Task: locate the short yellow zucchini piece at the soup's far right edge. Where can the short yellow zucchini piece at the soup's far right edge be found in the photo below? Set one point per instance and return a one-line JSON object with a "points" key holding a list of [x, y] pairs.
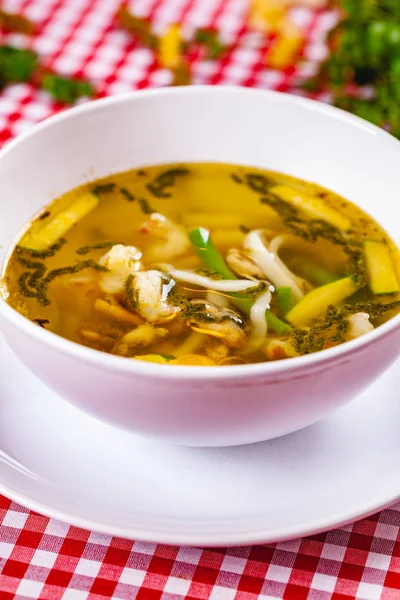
{"points": [[381, 273]]}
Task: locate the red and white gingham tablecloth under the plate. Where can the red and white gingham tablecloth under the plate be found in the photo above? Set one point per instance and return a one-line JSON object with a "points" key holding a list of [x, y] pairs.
{"points": [[44, 559]]}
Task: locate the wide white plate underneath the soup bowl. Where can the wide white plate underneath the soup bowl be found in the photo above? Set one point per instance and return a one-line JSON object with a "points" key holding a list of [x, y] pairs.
{"points": [[63, 463]]}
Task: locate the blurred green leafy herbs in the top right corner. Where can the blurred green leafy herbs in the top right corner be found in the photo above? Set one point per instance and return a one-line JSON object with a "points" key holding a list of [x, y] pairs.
{"points": [[363, 70]]}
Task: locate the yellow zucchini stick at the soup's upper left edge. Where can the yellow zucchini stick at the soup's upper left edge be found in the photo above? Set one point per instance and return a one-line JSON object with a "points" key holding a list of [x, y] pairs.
{"points": [[52, 231]]}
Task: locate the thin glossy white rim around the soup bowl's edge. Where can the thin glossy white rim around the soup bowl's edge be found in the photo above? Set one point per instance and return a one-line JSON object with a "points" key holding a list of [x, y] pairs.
{"points": [[318, 360]]}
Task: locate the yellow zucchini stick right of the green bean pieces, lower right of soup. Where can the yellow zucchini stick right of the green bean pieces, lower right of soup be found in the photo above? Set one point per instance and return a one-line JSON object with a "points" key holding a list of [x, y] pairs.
{"points": [[312, 305]]}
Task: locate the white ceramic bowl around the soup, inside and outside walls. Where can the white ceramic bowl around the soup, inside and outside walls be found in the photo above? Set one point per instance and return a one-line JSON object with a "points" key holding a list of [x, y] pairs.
{"points": [[188, 405]]}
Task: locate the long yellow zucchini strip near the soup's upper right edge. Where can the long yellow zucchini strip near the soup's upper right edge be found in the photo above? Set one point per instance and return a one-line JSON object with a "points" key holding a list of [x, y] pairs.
{"points": [[312, 206]]}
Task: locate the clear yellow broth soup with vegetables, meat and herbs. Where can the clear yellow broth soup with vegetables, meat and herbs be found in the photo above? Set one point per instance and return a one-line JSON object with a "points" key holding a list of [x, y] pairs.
{"points": [[204, 264]]}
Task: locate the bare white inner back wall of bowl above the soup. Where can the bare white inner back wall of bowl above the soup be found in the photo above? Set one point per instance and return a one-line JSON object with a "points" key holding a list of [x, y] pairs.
{"points": [[230, 125]]}
